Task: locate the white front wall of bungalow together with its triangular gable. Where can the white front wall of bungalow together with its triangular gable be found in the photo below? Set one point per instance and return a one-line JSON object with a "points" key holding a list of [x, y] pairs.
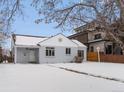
{"points": [[60, 47]]}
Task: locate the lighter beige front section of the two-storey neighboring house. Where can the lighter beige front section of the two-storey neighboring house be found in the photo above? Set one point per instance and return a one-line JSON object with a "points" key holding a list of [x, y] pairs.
{"points": [[98, 39]]}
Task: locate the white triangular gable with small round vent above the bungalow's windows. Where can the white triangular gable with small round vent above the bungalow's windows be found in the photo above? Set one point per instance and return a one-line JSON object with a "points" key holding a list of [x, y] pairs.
{"points": [[60, 40]]}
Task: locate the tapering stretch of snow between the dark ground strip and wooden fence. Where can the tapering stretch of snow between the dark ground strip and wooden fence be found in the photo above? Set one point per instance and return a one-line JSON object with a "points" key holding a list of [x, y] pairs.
{"points": [[105, 70]]}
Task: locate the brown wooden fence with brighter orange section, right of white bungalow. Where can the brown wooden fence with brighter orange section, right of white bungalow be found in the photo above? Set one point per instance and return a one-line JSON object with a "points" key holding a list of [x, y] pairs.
{"points": [[92, 56]]}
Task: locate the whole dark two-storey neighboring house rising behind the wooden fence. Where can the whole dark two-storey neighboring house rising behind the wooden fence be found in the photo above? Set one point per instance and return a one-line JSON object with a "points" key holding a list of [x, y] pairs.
{"points": [[94, 37]]}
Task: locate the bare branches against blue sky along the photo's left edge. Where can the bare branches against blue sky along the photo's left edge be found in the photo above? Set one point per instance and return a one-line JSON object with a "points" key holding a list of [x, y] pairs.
{"points": [[8, 10]]}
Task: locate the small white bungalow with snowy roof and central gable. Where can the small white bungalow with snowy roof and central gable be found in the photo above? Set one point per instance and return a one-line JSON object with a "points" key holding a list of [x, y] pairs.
{"points": [[55, 49]]}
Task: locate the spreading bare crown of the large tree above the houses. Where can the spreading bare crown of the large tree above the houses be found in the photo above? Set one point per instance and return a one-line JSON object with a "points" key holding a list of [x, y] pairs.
{"points": [[76, 13]]}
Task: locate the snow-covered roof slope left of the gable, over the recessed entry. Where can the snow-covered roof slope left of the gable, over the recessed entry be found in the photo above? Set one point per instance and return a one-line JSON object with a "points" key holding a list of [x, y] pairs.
{"points": [[28, 40]]}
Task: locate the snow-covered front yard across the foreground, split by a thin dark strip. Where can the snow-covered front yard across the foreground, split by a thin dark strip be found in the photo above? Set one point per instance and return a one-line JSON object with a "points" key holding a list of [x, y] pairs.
{"points": [[49, 77]]}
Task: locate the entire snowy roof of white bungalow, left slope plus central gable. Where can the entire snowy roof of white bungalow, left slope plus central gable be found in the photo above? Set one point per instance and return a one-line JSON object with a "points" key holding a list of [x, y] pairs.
{"points": [[57, 40]]}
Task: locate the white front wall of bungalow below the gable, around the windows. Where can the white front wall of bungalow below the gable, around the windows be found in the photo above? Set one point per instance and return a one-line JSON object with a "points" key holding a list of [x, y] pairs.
{"points": [[60, 55]]}
